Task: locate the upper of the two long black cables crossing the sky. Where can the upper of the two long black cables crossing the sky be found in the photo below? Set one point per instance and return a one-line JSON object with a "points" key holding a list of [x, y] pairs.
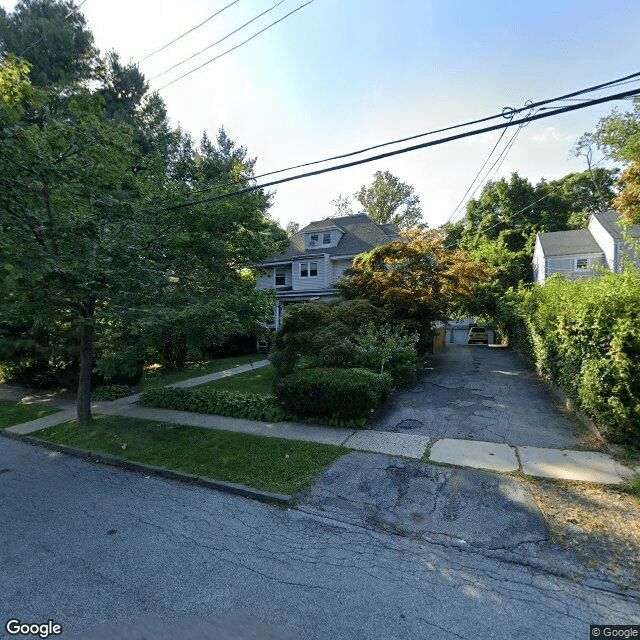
{"points": [[506, 112]]}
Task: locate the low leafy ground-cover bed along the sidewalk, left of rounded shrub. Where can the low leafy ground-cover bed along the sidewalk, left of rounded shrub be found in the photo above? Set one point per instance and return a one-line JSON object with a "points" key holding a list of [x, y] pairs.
{"points": [[220, 402]]}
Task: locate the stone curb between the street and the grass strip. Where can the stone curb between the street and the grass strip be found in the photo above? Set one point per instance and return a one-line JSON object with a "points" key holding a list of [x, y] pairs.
{"points": [[170, 474]]}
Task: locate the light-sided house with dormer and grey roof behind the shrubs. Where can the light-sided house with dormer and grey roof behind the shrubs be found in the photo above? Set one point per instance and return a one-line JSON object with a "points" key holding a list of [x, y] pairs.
{"points": [[316, 258]]}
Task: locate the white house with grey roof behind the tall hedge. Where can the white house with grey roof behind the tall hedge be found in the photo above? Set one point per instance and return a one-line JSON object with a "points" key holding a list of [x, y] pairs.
{"points": [[574, 254]]}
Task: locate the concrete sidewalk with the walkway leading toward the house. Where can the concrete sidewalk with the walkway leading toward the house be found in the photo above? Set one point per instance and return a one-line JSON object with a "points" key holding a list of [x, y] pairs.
{"points": [[561, 463]]}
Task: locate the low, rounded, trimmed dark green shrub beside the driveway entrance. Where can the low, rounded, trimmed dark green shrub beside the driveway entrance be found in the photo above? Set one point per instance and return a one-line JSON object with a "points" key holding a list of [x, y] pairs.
{"points": [[339, 394]]}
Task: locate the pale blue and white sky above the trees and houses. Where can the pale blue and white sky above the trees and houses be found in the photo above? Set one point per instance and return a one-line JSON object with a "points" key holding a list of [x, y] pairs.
{"points": [[341, 75]]}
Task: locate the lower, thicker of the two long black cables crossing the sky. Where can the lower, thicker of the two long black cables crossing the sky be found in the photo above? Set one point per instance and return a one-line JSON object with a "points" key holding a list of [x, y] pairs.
{"points": [[431, 143]]}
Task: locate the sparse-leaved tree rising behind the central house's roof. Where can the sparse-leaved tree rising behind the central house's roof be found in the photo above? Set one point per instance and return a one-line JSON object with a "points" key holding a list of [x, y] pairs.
{"points": [[388, 200]]}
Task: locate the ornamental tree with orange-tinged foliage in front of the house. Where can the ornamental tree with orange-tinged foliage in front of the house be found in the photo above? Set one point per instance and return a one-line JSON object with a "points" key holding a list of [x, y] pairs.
{"points": [[415, 281]]}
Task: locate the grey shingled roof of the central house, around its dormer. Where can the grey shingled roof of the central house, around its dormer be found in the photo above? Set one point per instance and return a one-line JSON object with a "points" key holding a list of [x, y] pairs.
{"points": [[359, 234]]}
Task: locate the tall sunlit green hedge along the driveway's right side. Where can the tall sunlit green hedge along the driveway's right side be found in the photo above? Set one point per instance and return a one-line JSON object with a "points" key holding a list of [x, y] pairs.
{"points": [[585, 334]]}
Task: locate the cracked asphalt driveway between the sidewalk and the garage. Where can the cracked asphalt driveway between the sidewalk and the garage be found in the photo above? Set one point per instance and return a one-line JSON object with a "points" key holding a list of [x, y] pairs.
{"points": [[480, 393]]}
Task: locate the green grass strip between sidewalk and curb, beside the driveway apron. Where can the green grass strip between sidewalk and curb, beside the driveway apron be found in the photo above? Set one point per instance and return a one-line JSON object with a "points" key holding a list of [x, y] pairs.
{"points": [[270, 464]]}
